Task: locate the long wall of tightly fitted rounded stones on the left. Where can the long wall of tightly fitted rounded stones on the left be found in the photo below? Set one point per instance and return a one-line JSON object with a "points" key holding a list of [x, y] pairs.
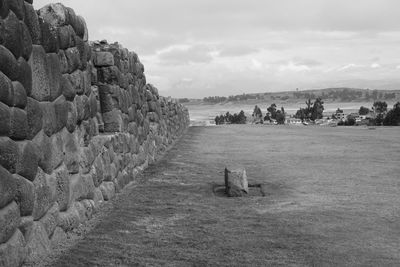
{"points": [[77, 123]]}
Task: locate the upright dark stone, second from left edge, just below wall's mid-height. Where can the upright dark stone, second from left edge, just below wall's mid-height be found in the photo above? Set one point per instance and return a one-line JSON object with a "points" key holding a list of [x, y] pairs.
{"points": [[28, 160]]}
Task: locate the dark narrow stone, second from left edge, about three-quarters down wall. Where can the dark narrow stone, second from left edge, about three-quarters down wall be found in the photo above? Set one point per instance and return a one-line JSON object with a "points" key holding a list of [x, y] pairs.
{"points": [[25, 195]]}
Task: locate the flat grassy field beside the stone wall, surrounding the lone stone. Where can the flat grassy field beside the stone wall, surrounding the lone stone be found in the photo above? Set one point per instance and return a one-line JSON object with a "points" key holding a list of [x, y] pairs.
{"points": [[332, 199]]}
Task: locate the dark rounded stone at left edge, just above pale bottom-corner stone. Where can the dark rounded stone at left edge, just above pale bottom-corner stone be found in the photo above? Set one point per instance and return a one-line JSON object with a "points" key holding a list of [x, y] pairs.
{"points": [[9, 221]]}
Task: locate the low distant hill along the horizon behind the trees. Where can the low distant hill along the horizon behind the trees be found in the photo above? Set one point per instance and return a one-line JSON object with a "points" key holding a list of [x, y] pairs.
{"points": [[341, 94]]}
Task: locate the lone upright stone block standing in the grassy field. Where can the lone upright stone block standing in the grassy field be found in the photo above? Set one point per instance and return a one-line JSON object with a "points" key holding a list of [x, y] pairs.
{"points": [[236, 182]]}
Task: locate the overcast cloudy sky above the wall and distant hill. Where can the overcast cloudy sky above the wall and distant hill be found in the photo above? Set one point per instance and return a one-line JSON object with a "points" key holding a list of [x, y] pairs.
{"points": [[198, 48]]}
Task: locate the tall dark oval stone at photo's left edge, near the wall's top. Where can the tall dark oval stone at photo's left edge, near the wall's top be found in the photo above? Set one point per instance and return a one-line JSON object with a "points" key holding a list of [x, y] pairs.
{"points": [[13, 35]]}
